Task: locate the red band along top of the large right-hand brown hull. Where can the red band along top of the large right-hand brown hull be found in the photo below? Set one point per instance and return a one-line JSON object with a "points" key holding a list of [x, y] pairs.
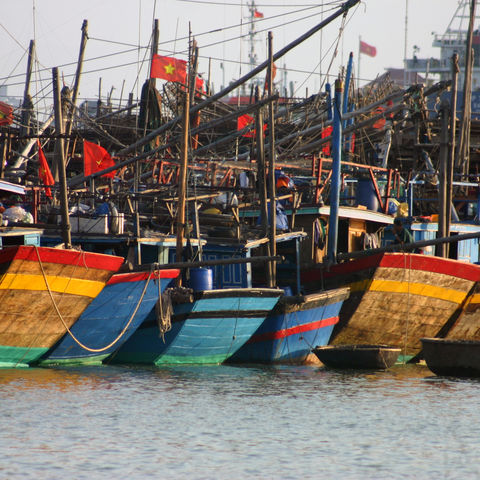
{"points": [[426, 263]]}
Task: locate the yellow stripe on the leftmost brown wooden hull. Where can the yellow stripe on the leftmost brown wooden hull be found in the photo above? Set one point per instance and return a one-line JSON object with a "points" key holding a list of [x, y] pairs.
{"points": [[73, 286]]}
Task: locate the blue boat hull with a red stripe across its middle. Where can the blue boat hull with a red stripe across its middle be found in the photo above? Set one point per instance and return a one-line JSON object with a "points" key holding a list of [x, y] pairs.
{"points": [[293, 328]]}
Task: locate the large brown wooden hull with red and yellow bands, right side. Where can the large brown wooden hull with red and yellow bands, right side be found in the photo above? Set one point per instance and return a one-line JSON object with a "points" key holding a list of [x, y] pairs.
{"points": [[397, 298]]}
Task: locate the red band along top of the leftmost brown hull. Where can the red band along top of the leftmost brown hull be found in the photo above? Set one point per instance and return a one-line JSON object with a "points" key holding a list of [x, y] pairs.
{"points": [[64, 257]]}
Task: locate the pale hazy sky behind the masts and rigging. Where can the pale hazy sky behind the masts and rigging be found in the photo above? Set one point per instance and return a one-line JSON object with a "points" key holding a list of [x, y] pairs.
{"points": [[56, 27]]}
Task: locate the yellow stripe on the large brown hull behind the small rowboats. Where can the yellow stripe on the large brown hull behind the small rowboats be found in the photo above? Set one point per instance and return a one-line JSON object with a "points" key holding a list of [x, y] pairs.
{"points": [[413, 288]]}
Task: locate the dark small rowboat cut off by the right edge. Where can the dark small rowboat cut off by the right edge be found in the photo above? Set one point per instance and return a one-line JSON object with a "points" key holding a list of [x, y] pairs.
{"points": [[459, 358]]}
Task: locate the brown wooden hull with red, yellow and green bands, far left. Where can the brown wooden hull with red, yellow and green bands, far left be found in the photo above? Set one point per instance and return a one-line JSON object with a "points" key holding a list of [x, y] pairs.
{"points": [[33, 281]]}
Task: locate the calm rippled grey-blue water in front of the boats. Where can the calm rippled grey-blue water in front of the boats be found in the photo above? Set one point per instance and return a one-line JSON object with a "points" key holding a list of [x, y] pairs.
{"points": [[237, 423]]}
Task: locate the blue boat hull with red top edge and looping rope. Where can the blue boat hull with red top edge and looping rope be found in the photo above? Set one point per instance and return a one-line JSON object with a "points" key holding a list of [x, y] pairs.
{"points": [[127, 297]]}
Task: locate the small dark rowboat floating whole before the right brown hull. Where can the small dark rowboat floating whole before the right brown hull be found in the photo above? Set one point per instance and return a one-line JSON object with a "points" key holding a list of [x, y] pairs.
{"points": [[358, 356]]}
